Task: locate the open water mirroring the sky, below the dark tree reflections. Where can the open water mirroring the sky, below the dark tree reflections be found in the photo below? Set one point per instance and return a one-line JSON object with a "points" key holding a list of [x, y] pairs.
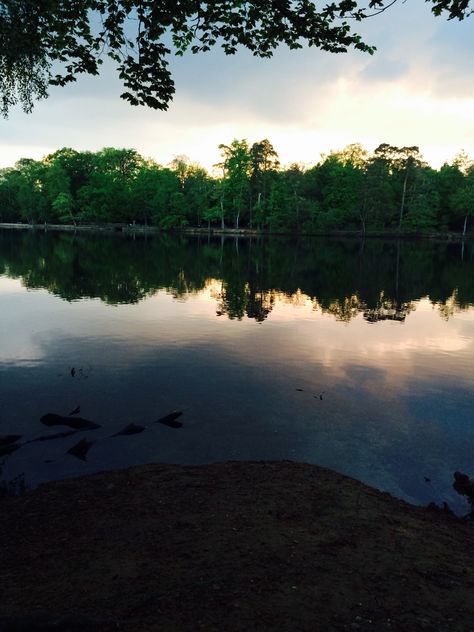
{"points": [[397, 397]]}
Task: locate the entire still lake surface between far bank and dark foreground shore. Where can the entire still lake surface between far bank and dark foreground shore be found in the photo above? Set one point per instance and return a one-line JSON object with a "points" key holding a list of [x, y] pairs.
{"points": [[353, 355]]}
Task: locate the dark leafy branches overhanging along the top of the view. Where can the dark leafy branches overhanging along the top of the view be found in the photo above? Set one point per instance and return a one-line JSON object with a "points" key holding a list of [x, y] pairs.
{"points": [[51, 42]]}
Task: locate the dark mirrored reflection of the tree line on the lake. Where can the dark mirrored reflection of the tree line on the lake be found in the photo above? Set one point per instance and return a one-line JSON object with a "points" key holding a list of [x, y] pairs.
{"points": [[381, 280]]}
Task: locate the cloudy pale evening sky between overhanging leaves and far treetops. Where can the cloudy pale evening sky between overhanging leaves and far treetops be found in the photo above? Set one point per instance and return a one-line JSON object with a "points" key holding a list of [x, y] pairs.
{"points": [[417, 89]]}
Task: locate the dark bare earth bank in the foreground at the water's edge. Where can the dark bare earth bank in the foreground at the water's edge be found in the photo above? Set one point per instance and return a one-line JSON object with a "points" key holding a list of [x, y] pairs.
{"points": [[235, 546]]}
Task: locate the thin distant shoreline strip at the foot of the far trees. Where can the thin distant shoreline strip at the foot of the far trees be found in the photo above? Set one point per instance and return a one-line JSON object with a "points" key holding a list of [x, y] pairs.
{"points": [[232, 232]]}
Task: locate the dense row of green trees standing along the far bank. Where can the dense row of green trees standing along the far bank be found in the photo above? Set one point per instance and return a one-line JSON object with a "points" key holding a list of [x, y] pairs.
{"points": [[391, 190]]}
